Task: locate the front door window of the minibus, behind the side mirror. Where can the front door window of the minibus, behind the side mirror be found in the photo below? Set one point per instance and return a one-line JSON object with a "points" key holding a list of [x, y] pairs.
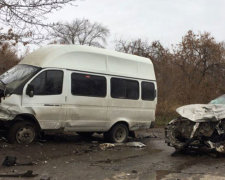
{"points": [[48, 83]]}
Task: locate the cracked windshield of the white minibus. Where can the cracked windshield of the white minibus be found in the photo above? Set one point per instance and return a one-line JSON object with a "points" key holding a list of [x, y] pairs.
{"points": [[15, 76]]}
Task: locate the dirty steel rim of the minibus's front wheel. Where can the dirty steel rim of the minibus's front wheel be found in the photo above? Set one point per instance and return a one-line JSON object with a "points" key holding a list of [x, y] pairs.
{"points": [[25, 135]]}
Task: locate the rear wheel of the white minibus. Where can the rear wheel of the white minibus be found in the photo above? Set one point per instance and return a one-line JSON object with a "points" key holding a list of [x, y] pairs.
{"points": [[118, 133]]}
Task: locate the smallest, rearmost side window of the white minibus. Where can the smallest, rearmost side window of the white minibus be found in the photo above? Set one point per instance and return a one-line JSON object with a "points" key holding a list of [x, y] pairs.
{"points": [[148, 91]]}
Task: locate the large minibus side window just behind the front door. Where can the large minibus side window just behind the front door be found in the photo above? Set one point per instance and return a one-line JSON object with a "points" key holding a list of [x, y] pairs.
{"points": [[88, 85]]}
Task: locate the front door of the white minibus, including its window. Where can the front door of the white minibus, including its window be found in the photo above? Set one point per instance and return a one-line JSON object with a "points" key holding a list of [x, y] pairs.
{"points": [[48, 100]]}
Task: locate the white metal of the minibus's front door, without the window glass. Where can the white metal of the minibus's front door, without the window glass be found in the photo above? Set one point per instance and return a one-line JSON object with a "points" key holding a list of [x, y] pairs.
{"points": [[50, 111]]}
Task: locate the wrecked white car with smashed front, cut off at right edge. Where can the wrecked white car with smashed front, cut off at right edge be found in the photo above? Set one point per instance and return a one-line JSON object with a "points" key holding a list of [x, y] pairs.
{"points": [[199, 126]]}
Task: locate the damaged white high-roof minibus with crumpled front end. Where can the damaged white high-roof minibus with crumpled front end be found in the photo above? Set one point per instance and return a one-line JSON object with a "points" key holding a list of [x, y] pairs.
{"points": [[80, 89]]}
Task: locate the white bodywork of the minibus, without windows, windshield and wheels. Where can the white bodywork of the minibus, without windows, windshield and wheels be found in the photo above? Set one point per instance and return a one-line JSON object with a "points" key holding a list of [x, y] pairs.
{"points": [[81, 113]]}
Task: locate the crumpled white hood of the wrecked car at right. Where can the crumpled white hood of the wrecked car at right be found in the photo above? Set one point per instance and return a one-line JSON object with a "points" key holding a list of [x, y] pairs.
{"points": [[202, 112]]}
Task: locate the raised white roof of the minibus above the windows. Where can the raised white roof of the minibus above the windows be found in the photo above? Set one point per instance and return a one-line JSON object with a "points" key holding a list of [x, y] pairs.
{"points": [[91, 59]]}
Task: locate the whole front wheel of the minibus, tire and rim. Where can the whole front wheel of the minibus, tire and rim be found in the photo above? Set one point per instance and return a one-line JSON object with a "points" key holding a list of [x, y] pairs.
{"points": [[22, 132]]}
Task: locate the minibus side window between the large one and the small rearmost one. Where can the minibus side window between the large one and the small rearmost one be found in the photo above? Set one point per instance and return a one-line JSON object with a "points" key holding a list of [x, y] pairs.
{"points": [[124, 89]]}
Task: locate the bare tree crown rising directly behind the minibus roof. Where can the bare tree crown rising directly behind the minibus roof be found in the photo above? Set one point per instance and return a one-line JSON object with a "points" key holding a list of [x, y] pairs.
{"points": [[80, 31]]}
